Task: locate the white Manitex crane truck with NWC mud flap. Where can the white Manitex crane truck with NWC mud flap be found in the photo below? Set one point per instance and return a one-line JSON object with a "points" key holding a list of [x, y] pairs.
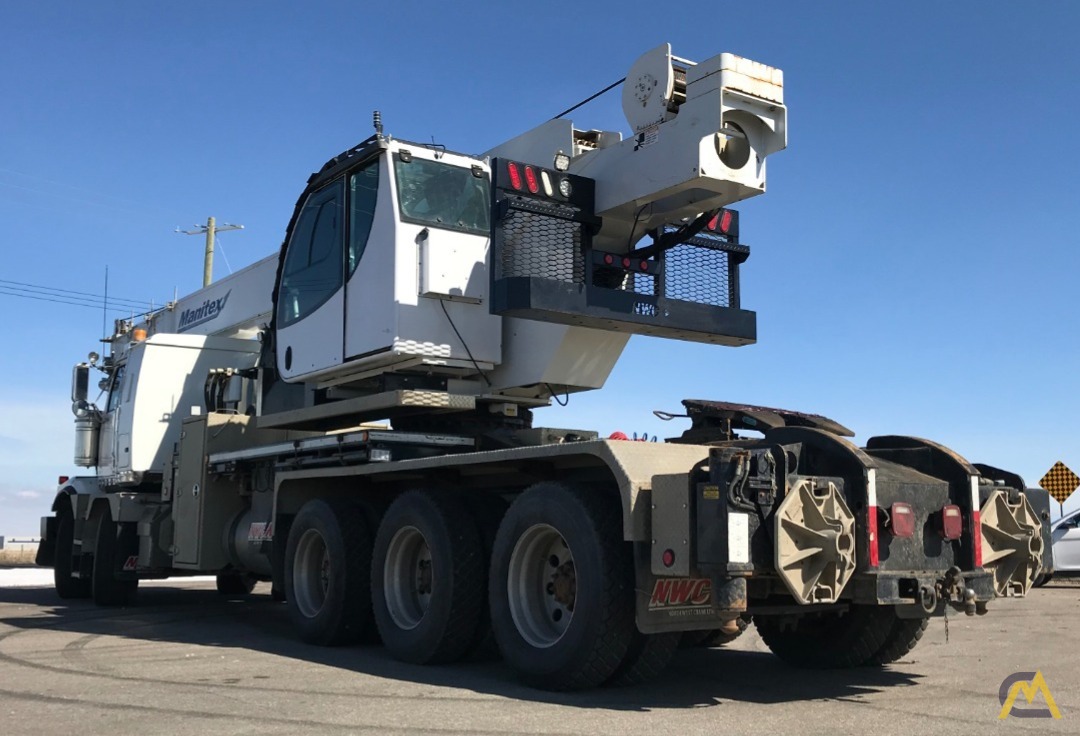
{"points": [[352, 420]]}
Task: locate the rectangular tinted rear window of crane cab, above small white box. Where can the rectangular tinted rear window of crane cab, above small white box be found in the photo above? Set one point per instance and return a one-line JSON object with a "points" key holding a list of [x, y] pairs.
{"points": [[437, 194]]}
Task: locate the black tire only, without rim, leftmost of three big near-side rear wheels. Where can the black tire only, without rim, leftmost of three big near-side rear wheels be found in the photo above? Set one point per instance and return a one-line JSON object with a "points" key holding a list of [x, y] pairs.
{"points": [[346, 611]]}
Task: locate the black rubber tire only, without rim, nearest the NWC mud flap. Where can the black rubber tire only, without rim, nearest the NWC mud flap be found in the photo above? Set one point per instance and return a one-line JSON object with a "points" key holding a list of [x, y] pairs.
{"points": [[600, 634]]}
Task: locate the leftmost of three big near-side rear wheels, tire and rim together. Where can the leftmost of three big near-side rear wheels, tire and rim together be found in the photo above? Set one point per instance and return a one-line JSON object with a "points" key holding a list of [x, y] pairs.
{"points": [[328, 564]]}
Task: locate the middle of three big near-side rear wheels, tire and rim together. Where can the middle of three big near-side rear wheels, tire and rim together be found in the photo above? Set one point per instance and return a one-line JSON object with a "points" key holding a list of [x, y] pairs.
{"points": [[428, 579]]}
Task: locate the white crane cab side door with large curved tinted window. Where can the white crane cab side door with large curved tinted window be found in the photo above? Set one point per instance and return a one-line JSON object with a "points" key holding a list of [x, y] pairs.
{"points": [[310, 295]]}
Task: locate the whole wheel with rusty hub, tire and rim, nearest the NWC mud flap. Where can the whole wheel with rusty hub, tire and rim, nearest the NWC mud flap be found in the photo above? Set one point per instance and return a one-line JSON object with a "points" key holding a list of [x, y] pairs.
{"points": [[562, 587]]}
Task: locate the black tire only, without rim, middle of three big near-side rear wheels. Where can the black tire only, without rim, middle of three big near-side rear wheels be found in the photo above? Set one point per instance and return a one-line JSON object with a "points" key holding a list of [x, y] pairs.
{"points": [[448, 630]]}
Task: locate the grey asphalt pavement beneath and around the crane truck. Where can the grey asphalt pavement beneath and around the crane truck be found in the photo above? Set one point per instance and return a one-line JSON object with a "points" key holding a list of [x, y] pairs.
{"points": [[188, 661]]}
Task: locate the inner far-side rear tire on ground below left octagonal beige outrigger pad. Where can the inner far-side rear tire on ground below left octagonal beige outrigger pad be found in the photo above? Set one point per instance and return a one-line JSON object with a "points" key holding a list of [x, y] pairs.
{"points": [[829, 643]]}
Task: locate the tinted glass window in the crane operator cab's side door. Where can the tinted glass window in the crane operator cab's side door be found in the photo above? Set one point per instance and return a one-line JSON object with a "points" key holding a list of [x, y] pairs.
{"points": [[315, 260]]}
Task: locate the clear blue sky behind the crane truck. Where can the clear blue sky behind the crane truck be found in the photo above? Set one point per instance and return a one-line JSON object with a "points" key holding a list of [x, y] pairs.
{"points": [[914, 264]]}
